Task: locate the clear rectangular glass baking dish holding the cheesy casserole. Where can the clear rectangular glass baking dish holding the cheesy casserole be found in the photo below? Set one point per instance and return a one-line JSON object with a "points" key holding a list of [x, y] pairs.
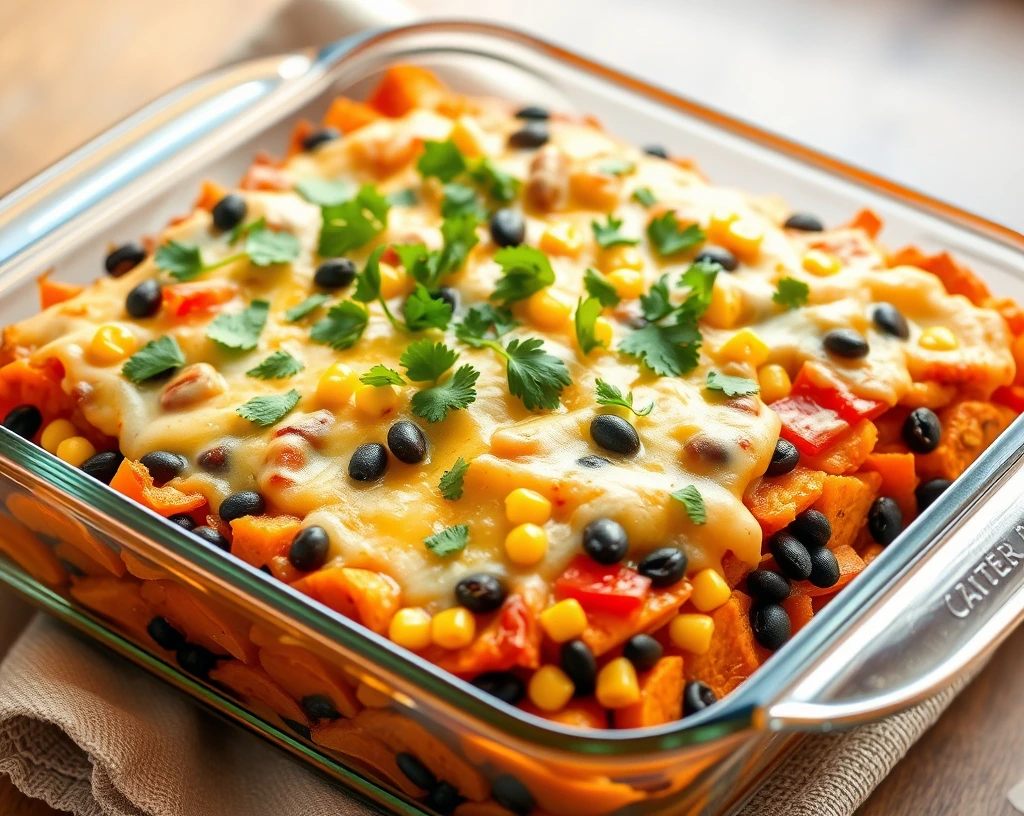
{"points": [[934, 605]]}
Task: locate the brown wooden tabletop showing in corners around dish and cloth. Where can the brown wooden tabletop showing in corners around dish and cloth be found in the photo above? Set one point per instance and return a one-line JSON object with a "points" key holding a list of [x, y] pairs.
{"points": [[69, 70]]}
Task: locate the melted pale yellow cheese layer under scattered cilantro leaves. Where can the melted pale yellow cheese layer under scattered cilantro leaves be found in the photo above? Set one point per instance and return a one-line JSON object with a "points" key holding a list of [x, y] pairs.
{"points": [[694, 437]]}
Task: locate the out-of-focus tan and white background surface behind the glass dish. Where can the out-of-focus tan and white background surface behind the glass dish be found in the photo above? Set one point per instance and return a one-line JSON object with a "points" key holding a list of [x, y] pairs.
{"points": [[928, 93]]}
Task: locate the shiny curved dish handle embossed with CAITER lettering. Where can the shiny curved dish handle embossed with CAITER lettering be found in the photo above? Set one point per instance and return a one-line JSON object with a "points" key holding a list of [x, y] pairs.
{"points": [[936, 624]]}
